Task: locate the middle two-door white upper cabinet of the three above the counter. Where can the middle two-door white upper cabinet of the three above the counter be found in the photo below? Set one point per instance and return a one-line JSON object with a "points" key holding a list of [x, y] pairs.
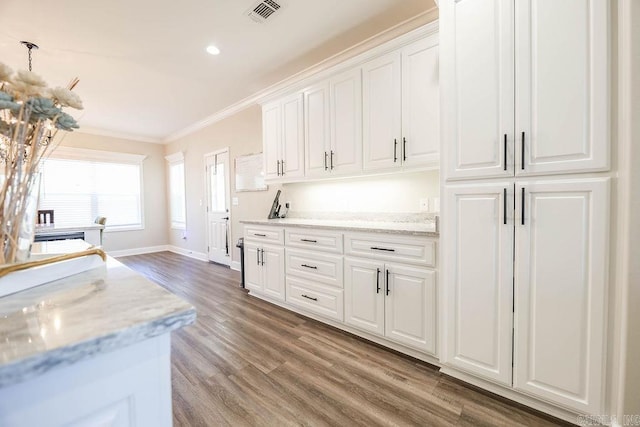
{"points": [[333, 126]]}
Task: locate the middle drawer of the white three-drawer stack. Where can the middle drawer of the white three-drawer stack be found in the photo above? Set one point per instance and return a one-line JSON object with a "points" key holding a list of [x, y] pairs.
{"points": [[315, 266]]}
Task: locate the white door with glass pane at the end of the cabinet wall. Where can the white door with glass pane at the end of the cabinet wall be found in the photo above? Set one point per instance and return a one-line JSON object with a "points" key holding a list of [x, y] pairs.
{"points": [[218, 214]]}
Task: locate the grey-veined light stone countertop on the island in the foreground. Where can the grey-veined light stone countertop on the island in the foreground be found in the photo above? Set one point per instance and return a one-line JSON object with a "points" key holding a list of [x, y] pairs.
{"points": [[75, 318]]}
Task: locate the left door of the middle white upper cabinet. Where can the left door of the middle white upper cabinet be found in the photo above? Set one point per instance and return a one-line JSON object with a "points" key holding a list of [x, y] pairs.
{"points": [[316, 126]]}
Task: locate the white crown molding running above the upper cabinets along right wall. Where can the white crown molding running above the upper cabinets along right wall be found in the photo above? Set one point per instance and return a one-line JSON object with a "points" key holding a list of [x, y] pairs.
{"points": [[387, 40]]}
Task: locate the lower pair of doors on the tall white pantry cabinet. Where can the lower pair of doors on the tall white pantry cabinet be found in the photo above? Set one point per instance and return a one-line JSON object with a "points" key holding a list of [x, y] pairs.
{"points": [[549, 294]]}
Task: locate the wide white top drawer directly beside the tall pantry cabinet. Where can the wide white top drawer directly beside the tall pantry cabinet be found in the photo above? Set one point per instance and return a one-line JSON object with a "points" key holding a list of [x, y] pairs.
{"points": [[397, 248]]}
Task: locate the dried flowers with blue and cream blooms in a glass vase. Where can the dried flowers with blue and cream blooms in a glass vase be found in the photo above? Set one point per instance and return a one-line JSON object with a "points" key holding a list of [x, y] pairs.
{"points": [[30, 117]]}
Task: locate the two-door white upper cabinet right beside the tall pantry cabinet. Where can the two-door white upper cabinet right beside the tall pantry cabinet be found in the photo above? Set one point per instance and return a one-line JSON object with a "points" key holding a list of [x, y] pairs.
{"points": [[401, 108]]}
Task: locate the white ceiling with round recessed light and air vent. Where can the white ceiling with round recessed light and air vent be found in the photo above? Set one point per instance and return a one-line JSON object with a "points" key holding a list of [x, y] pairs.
{"points": [[143, 69]]}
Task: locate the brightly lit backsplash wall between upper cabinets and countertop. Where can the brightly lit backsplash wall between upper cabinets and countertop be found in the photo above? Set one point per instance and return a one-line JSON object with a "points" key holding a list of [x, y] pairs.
{"points": [[394, 193]]}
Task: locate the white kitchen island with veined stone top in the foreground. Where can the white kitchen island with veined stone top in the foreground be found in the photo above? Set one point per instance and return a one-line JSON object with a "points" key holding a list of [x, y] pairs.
{"points": [[89, 349]]}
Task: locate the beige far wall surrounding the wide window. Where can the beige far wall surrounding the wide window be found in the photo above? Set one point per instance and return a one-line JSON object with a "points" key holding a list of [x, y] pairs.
{"points": [[155, 204]]}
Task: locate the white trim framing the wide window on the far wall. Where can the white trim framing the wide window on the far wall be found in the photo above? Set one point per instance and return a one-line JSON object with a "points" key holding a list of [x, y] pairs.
{"points": [[86, 154]]}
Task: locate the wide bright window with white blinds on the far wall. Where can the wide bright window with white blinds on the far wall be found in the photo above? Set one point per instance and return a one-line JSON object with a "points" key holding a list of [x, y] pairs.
{"points": [[80, 185]]}
